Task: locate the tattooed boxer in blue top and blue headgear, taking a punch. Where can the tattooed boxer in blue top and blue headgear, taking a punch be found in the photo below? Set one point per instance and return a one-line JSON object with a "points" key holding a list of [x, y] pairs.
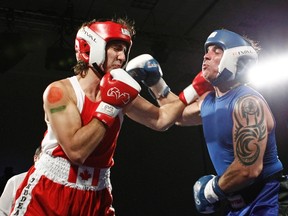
{"points": [[239, 130]]}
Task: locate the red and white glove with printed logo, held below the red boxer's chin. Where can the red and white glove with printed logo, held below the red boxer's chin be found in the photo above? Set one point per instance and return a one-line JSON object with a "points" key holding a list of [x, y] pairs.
{"points": [[117, 90]]}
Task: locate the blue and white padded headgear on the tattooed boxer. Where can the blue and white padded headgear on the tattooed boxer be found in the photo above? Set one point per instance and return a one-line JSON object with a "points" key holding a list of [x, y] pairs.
{"points": [[237, 57]]}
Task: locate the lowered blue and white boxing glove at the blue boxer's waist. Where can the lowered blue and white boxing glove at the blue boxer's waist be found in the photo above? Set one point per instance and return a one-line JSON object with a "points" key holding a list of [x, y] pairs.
{"points": [[208, 194]]}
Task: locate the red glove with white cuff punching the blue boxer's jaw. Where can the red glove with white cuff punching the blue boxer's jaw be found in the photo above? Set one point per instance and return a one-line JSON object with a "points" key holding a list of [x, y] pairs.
{"points": [[198, 87]]}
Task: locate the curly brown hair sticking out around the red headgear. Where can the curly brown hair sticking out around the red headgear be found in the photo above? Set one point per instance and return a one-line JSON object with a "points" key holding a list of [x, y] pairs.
{"points": [[82, 67]]}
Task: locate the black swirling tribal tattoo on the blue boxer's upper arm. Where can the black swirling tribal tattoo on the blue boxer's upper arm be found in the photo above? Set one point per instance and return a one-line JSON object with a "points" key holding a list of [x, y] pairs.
{"points": [[250, 129]]}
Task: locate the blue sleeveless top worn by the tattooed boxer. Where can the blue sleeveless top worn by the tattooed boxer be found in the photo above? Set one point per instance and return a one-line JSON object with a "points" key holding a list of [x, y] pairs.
{"points": [[217, 120]]}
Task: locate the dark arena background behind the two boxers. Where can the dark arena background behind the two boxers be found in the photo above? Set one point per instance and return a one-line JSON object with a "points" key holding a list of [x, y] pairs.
{"points": [[154, 172]]}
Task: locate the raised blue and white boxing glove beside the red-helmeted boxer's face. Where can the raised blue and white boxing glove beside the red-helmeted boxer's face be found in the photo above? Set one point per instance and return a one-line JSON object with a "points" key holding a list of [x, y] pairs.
{"points": [[146, 69]]}
